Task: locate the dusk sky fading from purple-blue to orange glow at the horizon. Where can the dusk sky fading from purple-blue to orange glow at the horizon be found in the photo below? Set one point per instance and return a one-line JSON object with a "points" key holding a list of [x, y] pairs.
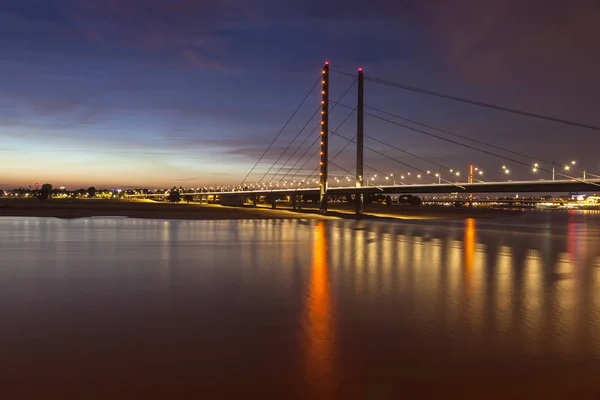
{"points": [[156, 93]]}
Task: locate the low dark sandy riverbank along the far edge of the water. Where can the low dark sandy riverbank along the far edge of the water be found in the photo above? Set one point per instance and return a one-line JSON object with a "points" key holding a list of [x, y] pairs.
{"points": [[85, 208]]}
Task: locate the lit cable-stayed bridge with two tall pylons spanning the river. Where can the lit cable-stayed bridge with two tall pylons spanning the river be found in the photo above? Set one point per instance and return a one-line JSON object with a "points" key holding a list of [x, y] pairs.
{"points": [[288, 175]]}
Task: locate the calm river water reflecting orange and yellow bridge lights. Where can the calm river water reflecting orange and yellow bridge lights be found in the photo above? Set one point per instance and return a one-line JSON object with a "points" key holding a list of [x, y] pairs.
{"points": [[123, 308]]}
